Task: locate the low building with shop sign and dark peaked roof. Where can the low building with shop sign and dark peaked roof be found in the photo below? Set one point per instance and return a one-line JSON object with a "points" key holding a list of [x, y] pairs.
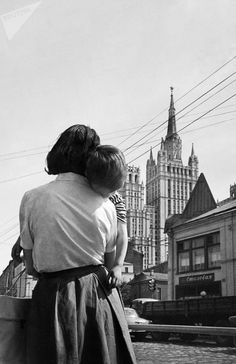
{"points": [[202, 247]]}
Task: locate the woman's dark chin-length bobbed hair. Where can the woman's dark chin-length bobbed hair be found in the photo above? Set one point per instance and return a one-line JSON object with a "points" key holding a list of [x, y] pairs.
{"points": [[70, 152]]}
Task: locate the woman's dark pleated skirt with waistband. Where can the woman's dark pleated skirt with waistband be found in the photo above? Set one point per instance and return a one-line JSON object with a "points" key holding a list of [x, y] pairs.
{"points": [[75, 319]]}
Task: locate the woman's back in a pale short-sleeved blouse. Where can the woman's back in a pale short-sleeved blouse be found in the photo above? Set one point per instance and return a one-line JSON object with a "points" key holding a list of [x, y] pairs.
{"points": [[68, 227]]}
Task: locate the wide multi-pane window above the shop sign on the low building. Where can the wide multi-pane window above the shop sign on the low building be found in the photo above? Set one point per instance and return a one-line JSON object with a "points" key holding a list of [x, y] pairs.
{"points": [[200, 253]]}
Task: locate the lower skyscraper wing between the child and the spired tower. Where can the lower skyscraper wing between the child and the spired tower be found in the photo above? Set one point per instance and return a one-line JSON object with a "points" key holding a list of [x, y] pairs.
{"points": [[140, 217]]}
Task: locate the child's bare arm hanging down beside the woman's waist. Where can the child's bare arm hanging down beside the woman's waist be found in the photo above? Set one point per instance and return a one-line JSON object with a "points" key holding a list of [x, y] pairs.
{"points": [[115, 275]]}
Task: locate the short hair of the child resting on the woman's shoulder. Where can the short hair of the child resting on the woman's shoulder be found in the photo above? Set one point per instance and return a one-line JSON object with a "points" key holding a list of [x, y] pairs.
{"points": [[106, 167]]}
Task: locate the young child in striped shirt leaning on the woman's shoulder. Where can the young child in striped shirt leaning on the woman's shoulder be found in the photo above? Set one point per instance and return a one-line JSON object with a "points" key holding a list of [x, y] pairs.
{"points": [[106, 173]]}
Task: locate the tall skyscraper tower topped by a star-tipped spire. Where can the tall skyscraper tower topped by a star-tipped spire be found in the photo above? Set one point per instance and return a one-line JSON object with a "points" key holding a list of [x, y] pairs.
{"points": [[168, 182]]}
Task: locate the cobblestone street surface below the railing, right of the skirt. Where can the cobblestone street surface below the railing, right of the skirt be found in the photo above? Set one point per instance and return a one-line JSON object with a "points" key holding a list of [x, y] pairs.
{"points": [[175, 352]]}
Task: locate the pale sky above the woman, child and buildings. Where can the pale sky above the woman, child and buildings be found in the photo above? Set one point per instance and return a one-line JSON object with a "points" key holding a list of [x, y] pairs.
{"points": [[110, 64]]}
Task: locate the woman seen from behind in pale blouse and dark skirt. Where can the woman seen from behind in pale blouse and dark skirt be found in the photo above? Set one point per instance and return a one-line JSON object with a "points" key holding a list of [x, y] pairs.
{"points": [[66, 228]]}
